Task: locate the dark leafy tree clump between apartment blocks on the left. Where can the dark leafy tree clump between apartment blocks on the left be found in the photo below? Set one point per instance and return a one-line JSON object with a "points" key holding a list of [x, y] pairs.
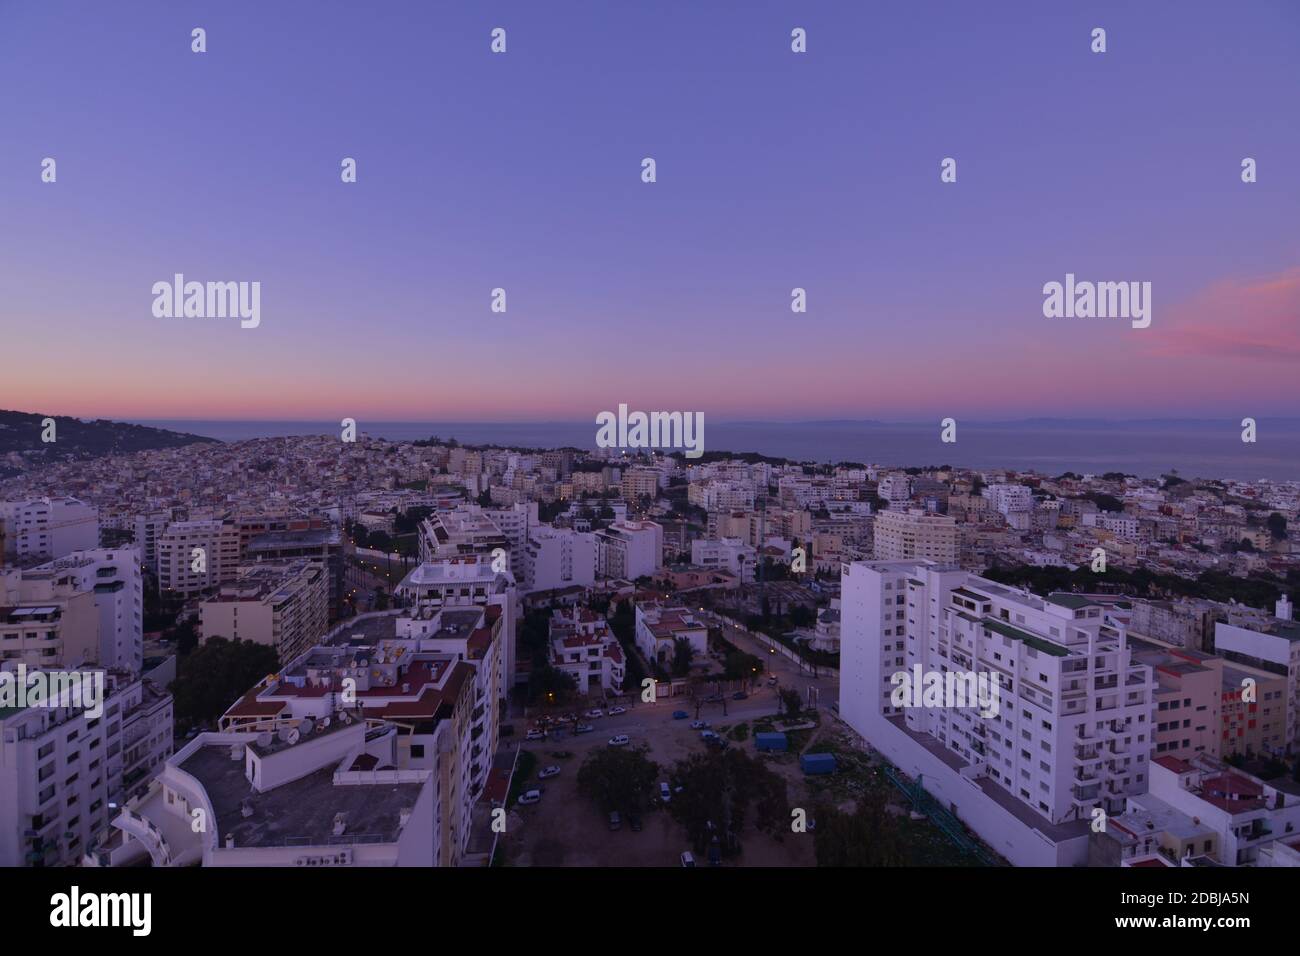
{"points": [[215, 676]]}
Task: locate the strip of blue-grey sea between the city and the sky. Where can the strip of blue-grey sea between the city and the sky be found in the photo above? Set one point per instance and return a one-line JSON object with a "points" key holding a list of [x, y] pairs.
{"points": [[1149, 448]]}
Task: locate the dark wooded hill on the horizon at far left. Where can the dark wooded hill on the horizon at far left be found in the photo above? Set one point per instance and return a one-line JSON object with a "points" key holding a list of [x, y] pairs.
{"points": [[21, 431]]}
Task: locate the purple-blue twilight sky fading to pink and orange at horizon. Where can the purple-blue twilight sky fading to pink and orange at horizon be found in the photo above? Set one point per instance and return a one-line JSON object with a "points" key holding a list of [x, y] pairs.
{"points": [[775, 171]]}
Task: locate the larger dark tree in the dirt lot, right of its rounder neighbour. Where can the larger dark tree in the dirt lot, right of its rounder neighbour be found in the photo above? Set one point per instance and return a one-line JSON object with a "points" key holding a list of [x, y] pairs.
{"points": [[717, 791]]}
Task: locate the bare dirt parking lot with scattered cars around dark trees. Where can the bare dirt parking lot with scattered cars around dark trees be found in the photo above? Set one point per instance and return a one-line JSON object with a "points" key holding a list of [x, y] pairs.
{"points": [[565, 829]]}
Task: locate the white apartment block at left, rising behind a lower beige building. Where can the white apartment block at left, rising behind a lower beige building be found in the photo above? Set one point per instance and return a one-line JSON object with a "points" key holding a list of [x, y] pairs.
{"points": [[114, 577]]}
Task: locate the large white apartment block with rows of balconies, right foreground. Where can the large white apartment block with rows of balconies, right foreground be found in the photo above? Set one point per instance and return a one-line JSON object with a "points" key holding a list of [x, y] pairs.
{"points": [[1073, 728]]}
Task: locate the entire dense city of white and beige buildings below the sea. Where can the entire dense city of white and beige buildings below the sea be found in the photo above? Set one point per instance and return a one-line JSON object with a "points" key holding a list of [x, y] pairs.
{"points": [[426, 654]]}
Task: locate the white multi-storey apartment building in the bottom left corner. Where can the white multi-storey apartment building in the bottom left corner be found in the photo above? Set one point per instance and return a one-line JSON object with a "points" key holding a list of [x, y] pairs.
{"points": [[63, 771]]}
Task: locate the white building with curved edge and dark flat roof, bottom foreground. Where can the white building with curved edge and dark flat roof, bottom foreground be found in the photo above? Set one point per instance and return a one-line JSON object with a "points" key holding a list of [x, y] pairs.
{"points": [[313, 794]]}
